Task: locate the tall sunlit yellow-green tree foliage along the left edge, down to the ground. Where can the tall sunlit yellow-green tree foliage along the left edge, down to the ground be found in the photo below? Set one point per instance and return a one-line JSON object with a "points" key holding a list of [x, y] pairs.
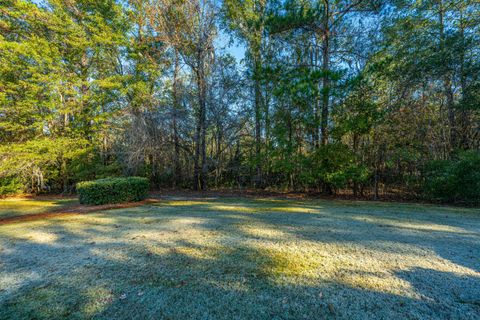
{"points": [[58, 89]]}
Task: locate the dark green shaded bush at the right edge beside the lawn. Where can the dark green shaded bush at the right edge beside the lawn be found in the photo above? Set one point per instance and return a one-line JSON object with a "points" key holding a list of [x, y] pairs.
{"points": [[456, 180]]}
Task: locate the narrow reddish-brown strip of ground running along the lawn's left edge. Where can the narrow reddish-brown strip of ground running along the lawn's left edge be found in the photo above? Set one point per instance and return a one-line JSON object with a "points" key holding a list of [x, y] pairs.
{"points": [[74, 210]]}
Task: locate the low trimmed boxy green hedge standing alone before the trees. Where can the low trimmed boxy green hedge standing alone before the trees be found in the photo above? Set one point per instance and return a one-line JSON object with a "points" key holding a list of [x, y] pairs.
{"points": [[113, 190]]}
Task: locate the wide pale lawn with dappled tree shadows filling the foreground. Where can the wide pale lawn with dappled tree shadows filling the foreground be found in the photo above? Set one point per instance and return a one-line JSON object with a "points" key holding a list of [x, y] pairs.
{"points": [[244, 259]]}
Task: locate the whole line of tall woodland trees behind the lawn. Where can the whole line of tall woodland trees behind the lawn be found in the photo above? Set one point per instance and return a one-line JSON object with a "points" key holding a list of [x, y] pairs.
{"points": [[365, 97]]}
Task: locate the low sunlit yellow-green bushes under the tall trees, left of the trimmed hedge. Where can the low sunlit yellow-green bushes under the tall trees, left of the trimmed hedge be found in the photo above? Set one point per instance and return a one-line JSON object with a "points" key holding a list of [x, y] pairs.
{"points": [[51, 166]]}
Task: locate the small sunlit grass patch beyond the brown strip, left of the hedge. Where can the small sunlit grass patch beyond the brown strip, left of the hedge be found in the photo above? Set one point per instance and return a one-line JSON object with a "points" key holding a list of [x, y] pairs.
{"points": [[13, 207]]}
